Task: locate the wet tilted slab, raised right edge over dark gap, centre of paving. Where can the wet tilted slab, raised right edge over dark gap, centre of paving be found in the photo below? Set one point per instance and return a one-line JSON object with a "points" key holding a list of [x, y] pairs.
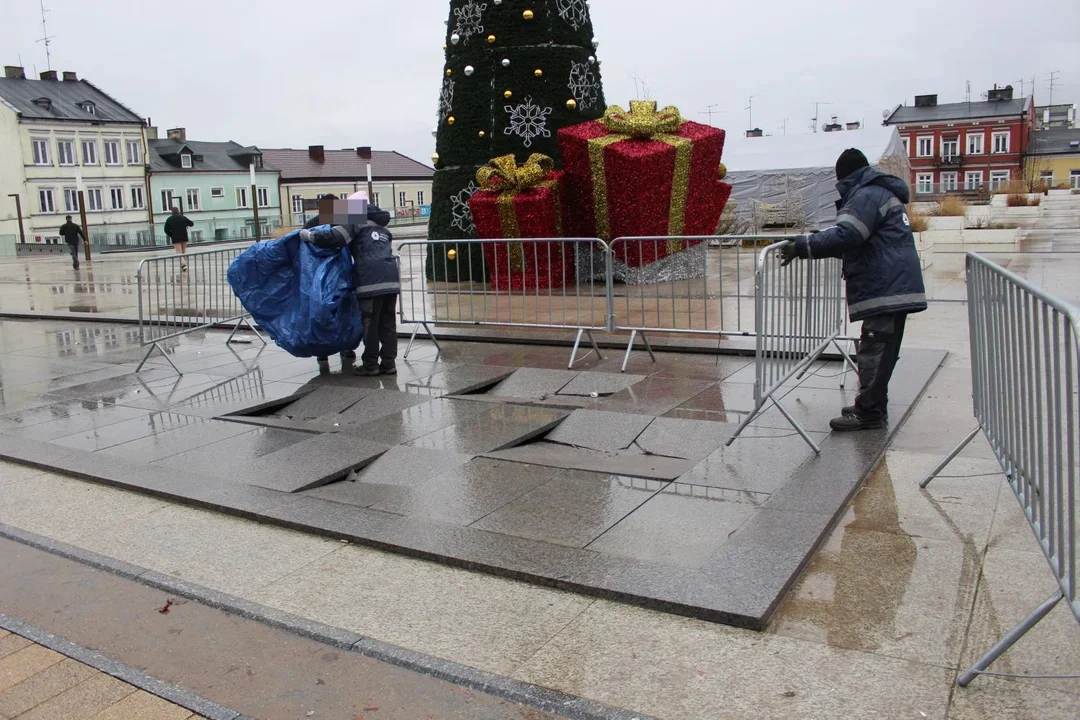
{"points": [[499, 428]]}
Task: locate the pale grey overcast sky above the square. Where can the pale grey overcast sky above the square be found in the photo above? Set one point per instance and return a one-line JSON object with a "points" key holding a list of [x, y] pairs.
{"points": [[348, 73]]}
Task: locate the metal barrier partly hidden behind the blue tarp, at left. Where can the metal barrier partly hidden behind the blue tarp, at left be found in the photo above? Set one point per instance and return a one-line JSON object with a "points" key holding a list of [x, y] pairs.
{"points": [[182, 294]]}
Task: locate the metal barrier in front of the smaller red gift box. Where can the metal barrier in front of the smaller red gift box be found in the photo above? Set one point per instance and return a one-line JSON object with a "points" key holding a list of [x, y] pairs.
{"points": [[528, 283]]}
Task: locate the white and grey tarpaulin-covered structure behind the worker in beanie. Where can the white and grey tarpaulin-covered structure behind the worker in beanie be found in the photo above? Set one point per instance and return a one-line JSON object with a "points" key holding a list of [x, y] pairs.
{"points": [[769, 170]]}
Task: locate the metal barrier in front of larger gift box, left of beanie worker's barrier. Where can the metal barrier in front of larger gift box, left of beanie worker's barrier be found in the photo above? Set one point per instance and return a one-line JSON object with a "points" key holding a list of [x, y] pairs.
{"points": [[691, 286]]}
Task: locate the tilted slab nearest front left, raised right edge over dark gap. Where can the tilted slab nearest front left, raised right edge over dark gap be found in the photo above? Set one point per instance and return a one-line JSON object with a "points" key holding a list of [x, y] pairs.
{"points": [[315, 463]]}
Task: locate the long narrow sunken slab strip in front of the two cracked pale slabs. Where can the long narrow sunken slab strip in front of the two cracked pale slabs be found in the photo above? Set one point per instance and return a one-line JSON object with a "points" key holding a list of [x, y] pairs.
{"points": [[629, 465]]}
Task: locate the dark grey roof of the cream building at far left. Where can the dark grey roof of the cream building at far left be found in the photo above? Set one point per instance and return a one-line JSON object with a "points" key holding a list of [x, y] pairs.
{"points": [[66, 101]]}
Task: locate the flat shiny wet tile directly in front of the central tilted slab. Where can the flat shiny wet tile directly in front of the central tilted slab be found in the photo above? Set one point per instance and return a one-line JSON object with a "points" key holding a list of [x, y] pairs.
{"points": [[469, 493]]}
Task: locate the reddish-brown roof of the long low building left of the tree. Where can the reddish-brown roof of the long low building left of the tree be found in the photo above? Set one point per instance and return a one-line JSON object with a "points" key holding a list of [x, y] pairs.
{"points": [[345, 166]]}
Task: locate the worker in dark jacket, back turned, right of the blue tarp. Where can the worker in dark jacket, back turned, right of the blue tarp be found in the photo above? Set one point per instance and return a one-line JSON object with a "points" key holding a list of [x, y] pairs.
{"points": [[379, 286]]}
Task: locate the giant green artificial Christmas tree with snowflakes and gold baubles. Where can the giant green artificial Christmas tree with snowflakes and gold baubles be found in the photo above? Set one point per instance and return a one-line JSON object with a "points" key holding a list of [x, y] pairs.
{"points": [[517, 73]]}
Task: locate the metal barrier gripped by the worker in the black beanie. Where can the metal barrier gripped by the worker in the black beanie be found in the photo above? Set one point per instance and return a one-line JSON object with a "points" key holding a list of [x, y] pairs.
{"points": [[799, 316]]}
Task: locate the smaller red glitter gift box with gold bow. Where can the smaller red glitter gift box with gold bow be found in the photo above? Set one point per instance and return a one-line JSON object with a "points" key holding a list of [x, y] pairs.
{"points": [[522, 201]]}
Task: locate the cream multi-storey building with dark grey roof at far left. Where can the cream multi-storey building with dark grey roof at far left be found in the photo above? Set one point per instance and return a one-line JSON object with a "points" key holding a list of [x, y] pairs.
{"points": [[58, 132]]}
